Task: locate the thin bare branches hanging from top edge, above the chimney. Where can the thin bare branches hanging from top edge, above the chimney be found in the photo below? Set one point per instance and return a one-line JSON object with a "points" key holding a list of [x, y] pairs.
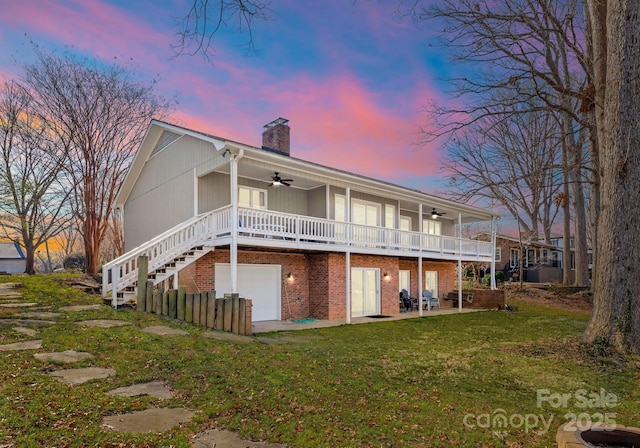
{"points": [[206, 18]]}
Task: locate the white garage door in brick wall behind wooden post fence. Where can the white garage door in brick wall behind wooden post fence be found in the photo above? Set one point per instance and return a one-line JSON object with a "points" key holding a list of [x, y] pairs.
{"points": [[258, 282]]}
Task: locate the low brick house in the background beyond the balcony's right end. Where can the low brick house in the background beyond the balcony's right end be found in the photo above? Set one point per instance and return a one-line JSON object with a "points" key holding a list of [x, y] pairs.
{"points": [[541, 263]]}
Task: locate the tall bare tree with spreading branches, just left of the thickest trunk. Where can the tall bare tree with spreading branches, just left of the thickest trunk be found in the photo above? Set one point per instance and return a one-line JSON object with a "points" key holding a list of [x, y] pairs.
{"points": [[535, 48]]}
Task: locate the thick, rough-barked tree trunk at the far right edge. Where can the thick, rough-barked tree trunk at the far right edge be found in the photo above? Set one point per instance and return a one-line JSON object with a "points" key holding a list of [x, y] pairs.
{"points": [[616, 314]]}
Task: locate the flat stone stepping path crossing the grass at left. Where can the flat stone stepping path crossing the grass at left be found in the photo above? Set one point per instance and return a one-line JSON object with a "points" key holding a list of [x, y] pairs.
{"points": [[154, 420]]}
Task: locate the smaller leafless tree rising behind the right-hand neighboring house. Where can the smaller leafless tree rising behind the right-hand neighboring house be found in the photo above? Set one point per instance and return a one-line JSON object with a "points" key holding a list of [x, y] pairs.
{"points": [[511, 158]]}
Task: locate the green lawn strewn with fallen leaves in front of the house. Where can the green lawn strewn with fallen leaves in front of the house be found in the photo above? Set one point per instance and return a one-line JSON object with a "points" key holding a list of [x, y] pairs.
{"points": [[401, 383]]}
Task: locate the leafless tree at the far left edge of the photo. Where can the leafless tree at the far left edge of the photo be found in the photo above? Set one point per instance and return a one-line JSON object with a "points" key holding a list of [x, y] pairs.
{"points": [[33, 191]]}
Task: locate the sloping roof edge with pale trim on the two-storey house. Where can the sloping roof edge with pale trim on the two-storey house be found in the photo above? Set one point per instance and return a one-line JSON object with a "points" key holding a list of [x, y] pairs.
{"points": [[153, 137]]}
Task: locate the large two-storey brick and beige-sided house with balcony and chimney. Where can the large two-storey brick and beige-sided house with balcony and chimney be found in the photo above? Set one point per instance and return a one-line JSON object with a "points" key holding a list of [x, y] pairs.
{"points": [[298, 238]]}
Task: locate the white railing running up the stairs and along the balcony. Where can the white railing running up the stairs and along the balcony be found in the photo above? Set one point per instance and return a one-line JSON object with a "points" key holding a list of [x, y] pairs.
{"points": [[215, 227]]}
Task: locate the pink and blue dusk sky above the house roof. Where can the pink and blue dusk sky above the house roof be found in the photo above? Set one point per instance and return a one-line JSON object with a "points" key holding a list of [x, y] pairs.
{"points": [[352, 77]]}
